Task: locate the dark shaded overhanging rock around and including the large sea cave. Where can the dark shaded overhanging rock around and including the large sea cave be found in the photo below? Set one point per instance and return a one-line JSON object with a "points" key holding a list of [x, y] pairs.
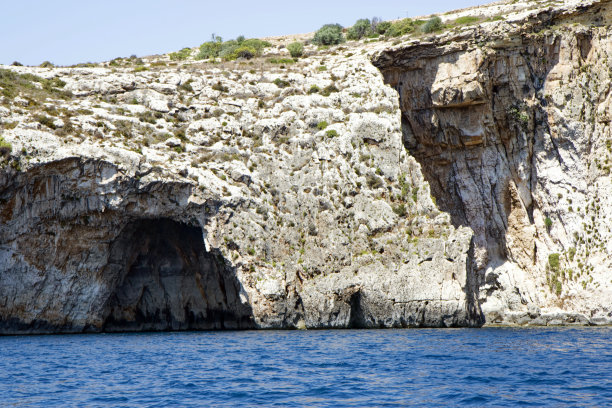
{"points": [[91, 250]]}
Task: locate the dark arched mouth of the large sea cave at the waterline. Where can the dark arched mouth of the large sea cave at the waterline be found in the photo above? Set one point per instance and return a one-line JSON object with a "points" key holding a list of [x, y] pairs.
{"points": [[165, 280]]}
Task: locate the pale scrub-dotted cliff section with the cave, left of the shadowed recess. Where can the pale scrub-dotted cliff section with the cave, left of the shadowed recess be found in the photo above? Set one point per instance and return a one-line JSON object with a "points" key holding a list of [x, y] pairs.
{"points": [[310, 211]]}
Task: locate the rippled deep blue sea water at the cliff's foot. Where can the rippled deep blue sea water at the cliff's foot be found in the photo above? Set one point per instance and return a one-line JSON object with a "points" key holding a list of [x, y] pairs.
{"points": [[344, 368]]}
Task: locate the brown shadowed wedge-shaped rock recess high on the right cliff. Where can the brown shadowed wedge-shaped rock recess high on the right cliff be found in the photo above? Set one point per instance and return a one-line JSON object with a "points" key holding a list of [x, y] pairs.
{"points": [[474, 141]]}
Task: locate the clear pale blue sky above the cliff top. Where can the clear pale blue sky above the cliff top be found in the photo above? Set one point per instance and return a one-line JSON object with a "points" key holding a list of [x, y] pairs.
{"points": [[72, 31]]}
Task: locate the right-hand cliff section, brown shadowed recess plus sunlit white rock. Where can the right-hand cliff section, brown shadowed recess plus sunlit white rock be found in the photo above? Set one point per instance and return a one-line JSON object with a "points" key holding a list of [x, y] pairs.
{"points": [[511, 125]]}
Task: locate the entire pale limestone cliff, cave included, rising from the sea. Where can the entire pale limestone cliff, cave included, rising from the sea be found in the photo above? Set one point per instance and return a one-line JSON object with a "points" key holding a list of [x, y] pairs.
{"points": [[251, 195]]}
